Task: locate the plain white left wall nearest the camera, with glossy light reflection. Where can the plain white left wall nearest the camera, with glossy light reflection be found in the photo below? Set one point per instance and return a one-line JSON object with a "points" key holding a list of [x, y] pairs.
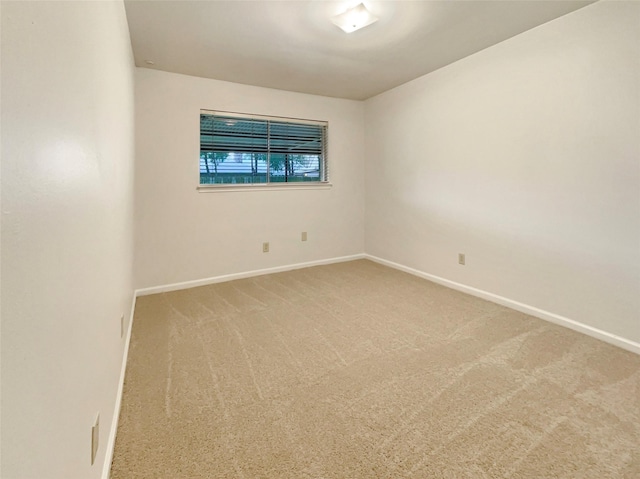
{"points": [[67, 233]]}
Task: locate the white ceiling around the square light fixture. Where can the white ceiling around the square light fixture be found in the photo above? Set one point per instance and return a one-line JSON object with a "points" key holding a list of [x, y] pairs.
{"points": [[292, 45]]}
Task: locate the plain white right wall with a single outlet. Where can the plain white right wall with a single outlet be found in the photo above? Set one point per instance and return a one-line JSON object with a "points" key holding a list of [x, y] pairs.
{"points": [[526, 157]]}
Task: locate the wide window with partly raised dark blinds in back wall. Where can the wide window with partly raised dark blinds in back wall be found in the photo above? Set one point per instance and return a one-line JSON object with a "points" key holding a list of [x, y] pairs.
{"points": [[237, 149]]}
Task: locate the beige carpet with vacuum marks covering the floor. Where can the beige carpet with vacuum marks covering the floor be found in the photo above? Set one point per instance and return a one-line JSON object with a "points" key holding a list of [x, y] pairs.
{"points": [[356, 370]]}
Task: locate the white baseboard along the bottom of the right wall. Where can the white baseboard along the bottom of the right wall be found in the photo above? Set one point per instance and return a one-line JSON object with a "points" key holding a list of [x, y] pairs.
{"points": [[523, 308]]}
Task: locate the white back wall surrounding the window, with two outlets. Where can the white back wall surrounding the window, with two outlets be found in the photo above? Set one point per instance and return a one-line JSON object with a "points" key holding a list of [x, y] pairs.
{"points": [[184, 235]]}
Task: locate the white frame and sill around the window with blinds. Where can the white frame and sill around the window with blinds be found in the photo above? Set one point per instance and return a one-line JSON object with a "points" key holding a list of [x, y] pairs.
{"points": [[322, 183]]}
